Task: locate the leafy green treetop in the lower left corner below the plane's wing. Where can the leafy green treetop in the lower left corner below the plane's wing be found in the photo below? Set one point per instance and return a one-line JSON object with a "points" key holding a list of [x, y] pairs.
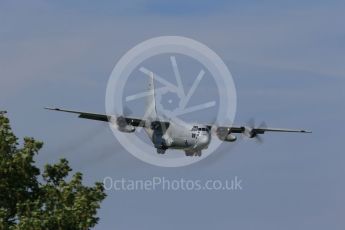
{"points": [[28, 201]]}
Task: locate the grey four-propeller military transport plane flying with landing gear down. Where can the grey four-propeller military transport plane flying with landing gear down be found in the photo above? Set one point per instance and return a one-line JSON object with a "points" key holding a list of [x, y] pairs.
{"points": [[164, 134]]}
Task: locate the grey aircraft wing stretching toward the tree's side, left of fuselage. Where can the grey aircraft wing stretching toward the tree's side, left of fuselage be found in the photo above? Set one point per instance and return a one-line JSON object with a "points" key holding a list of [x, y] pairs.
{"points": [[101, 117]]}
